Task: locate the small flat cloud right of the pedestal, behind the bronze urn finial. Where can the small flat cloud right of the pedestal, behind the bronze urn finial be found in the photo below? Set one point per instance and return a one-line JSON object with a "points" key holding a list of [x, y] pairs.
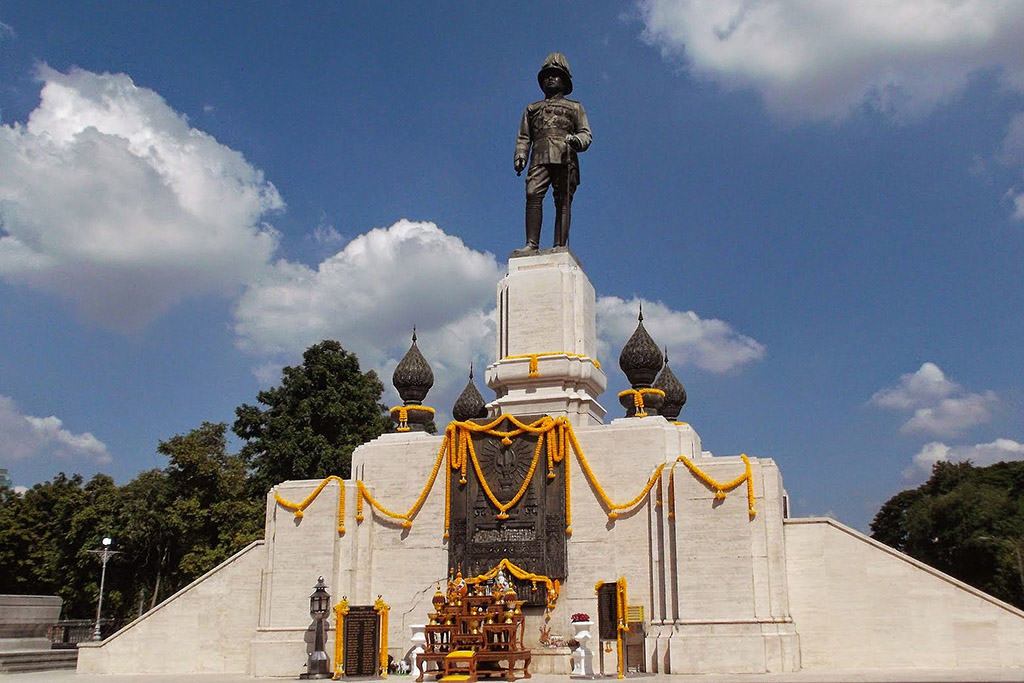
{"points": [[709, 344]]}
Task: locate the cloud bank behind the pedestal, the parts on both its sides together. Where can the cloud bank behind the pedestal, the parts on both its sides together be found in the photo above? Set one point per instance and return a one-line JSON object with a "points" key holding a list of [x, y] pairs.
{"points": [[370, 294]]}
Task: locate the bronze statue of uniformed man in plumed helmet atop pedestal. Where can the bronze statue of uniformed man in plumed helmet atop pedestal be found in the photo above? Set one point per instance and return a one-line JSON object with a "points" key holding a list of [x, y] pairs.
{"points": [[551, 134]]}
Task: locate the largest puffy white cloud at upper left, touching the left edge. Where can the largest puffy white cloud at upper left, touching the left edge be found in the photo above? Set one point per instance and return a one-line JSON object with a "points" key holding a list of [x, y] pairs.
{"points": [[110, 199]]}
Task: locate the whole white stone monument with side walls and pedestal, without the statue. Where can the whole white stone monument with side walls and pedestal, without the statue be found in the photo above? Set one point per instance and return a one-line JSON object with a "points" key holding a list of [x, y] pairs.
{"points": [[713, 578]]}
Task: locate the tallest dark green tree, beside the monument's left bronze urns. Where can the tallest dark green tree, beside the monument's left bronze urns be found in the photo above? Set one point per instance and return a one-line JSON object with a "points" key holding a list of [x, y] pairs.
{"points": [[314, 421]]}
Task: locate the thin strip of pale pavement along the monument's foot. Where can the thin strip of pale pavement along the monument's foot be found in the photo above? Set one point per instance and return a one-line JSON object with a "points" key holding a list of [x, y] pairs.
{"points": [[868, 676]]}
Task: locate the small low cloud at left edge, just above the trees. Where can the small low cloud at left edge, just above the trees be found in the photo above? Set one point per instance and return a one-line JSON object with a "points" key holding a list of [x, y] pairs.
{"points": [[25, 437]]}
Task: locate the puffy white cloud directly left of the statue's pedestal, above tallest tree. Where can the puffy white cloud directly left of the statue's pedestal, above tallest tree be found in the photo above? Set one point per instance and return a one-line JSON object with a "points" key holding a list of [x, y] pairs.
{"points": [[369, 296]]}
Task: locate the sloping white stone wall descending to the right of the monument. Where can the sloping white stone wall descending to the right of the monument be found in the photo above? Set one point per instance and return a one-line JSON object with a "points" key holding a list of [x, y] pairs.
{"points": [[861, 605]]}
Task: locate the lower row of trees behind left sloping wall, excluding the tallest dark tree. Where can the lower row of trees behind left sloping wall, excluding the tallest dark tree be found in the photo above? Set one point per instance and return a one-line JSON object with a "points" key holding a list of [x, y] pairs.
{"points": [[169, 527]]}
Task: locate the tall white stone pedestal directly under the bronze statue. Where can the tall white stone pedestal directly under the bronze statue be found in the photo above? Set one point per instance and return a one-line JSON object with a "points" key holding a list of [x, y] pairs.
{"points": [[547, 341]]}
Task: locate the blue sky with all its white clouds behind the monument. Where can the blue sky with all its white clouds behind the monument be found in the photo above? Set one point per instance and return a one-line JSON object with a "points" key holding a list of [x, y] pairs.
{"points": [[821, 204]]}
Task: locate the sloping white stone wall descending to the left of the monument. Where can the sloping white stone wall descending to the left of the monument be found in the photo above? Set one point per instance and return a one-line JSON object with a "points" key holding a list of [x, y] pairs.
{"points": [[203, 628]]}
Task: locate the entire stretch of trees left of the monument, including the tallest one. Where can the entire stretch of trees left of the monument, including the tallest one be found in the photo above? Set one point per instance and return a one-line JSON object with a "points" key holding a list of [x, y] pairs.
{"points": [[170, 526]]}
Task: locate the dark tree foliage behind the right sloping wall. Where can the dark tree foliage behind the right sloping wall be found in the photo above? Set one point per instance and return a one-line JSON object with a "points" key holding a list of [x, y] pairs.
{"points": [[965, 521]]}
